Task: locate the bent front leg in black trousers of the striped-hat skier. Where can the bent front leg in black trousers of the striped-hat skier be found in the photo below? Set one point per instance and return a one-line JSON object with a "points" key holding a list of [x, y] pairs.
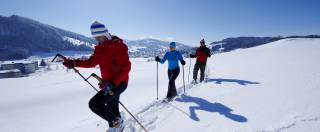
{"points": [[98, 105]]}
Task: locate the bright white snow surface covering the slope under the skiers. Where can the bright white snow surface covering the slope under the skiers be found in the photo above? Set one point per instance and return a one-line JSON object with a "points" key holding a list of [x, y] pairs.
{"points": [[274, 87]]}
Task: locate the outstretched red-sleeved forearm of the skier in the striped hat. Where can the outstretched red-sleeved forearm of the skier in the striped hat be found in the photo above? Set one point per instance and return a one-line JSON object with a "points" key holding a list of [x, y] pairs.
{"points": [[88, 63]]}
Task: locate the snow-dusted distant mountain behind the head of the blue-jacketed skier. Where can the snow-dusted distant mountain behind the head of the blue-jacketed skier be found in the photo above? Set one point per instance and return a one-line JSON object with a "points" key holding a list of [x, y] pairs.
{"points": [[152, 47]]}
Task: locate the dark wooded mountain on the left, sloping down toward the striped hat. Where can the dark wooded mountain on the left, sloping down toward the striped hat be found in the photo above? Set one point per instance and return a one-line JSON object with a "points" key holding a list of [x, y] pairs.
{"points": [[21, 37]]}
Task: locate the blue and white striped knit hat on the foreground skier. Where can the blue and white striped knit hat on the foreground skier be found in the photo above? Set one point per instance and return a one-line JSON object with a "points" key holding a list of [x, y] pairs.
{"points": [[98, 29]]}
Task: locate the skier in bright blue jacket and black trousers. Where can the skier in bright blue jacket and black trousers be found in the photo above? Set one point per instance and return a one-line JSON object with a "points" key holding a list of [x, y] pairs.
{"points": [[173, 58]]}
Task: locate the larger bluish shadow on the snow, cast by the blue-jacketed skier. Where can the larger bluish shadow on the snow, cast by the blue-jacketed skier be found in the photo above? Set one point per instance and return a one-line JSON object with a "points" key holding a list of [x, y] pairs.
{"points": [[204, 105]]}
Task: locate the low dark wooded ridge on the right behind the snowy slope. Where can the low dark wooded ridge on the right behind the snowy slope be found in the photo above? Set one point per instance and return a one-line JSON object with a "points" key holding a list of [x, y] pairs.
{"points": [[230, 44]]}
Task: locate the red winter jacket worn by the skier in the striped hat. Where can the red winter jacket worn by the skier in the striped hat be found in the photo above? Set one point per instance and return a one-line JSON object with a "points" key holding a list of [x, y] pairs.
{"points": [[113, 59]]}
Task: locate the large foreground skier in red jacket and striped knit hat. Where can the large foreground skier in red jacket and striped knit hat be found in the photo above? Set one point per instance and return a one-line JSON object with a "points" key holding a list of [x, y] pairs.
{"points": [[111, 54]]}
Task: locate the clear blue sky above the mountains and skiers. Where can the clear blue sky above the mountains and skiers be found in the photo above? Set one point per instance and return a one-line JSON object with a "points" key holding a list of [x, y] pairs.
{"points": [[184, 21]]}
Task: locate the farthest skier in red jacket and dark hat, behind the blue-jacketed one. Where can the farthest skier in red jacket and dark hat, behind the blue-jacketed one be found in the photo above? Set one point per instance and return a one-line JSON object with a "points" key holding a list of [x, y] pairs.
{"points": [[202, 54]]}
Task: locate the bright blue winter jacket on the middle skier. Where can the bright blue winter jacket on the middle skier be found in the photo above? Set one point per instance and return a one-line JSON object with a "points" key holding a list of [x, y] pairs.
{"points": [[173, 57]]}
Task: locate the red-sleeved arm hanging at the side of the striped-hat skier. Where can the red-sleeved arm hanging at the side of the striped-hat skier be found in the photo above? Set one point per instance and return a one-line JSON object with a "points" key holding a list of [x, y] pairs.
{"points": [[123, 62]]}
